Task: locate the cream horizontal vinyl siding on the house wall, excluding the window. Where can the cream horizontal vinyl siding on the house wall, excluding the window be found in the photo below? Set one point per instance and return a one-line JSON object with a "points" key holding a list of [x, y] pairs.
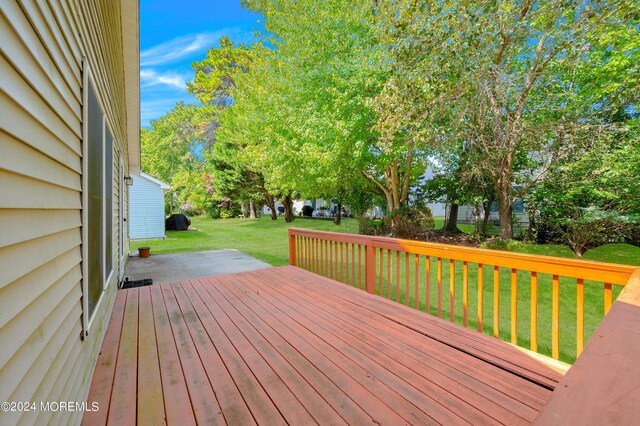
{"points": [[43, 357]]}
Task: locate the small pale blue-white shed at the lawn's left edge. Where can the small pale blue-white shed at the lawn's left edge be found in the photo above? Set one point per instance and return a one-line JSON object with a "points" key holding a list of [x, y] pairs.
{"points": [[146, 207]]}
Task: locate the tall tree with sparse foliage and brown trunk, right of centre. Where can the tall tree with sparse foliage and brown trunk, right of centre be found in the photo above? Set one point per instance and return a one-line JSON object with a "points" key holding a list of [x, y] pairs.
{"points": [[504, 76]]}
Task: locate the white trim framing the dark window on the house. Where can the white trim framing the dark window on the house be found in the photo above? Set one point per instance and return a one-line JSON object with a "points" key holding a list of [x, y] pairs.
{"points": [[87, 321]]}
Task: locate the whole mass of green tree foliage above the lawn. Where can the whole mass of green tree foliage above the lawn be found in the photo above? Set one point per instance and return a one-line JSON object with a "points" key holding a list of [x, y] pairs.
{"points": [[505, 100]]}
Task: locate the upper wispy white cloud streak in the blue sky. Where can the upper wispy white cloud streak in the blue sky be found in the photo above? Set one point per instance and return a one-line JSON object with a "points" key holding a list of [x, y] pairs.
{"points": [[182, 47]]}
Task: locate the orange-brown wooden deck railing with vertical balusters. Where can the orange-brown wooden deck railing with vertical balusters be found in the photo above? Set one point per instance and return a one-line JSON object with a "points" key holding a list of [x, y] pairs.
{"points": [[539, 297]]}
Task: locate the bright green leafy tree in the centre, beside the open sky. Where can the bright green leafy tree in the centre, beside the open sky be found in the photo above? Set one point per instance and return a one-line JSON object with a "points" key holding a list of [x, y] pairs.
{"points": [[325, 74]]}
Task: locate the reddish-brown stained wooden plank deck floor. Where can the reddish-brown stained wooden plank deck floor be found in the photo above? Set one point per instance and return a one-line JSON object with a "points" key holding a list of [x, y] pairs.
{"points": [[286, 346]]}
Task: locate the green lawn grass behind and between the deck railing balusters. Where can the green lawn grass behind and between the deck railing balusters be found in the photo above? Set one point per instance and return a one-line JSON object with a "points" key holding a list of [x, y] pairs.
{"points": [[267, 240]]}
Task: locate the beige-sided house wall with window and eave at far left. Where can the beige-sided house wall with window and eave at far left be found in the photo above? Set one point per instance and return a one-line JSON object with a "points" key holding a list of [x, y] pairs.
{"points": [[69, 120]]}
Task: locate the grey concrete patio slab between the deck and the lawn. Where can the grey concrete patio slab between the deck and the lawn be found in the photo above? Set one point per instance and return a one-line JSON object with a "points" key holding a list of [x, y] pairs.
{"points": [[183, 266]]}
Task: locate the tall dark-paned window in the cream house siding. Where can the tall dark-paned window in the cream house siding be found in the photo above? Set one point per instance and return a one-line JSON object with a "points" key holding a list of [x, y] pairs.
{"points": [[97, 203]]}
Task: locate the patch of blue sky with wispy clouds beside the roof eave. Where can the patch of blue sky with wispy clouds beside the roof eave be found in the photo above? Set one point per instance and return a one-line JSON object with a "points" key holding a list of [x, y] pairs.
{"points": [[173, 34]]}
